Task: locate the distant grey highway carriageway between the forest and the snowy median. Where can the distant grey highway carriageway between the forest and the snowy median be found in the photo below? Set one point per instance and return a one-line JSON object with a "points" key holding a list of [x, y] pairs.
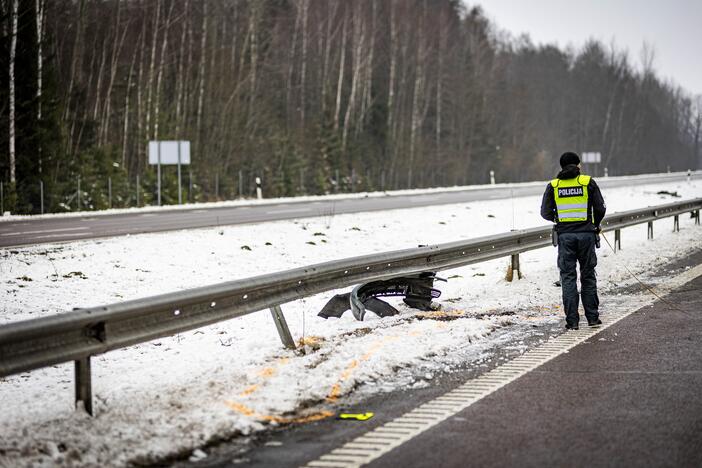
{"points": [[55, 229]]}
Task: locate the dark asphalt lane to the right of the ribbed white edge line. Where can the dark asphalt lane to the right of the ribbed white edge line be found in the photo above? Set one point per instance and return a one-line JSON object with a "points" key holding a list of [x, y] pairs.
{"points": [[629, 397]]}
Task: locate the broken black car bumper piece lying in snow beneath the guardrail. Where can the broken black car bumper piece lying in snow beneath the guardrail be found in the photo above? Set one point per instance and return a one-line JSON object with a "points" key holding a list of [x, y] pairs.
{"points": [[417, 289]]}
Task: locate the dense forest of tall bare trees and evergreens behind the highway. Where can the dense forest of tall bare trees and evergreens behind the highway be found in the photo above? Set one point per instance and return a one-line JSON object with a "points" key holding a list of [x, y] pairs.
{"points": [[313, 96]]}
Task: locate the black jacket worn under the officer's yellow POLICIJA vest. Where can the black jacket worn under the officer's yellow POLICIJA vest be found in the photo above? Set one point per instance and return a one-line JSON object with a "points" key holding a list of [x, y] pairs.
{"points": [[595, 205]]}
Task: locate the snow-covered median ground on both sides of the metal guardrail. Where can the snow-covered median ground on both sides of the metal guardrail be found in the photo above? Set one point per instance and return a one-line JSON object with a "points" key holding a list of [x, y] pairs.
{"points": [[175, 394]]}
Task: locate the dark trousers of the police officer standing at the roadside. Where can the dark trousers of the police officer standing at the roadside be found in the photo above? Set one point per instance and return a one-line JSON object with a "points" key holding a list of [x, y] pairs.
{"points": [[580, 247]]}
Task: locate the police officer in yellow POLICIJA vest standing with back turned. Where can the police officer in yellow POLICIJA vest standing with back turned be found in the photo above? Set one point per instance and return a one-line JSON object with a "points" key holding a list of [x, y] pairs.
{"points": [[574, 202]]}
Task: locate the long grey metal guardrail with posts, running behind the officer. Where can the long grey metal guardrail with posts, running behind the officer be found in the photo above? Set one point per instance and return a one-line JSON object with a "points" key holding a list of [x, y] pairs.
{"points": [[82, 333]]}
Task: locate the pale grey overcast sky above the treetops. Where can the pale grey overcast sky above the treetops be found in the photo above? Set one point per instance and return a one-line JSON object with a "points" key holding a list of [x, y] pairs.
{"points": [[673, 27]]}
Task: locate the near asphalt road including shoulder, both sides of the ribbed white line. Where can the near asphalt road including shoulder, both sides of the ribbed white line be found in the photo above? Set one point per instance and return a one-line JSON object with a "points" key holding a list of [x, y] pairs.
{"points": [[629, 396]]}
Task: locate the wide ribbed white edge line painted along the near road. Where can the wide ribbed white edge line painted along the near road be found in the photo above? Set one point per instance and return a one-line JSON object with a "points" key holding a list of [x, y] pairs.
{"points": [[404, 428]]}
